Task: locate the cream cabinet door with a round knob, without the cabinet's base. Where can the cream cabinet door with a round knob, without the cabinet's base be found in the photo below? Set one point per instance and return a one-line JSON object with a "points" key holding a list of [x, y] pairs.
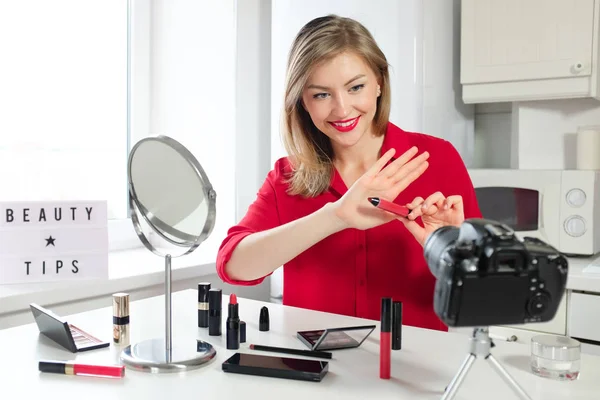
{"points": [[516, 40]]}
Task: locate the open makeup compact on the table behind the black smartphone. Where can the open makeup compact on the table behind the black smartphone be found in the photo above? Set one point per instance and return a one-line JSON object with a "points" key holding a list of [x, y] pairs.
{"points": [[335, 338]]}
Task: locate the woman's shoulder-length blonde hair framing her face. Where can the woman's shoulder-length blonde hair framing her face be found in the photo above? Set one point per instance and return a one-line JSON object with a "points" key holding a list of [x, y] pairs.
{"points": [[309, 150]]}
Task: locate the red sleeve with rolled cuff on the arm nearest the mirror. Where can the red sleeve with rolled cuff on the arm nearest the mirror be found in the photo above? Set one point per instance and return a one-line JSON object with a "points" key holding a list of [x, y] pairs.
{"points": [[261, 215]]}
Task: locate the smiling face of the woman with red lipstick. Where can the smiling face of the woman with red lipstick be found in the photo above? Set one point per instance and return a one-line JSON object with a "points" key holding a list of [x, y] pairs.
{"points": [[341, 99]]}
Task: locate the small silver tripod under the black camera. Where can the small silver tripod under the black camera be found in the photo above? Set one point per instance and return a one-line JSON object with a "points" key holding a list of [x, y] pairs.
{"points": [[480, 345]]}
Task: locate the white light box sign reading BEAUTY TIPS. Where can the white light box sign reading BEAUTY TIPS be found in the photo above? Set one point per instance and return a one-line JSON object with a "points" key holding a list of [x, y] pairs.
{"points": [[53, 241]]}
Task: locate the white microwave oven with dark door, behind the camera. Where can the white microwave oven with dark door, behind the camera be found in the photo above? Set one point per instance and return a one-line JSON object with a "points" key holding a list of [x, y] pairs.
{"points": [[560, 207]]}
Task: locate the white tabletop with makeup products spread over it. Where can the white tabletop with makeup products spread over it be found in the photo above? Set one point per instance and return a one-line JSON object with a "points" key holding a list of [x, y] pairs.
{"points": [[425, 365]]}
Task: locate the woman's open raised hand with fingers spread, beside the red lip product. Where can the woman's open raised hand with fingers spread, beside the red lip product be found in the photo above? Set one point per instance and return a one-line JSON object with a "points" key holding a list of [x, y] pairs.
{"points": [[387, 182]]}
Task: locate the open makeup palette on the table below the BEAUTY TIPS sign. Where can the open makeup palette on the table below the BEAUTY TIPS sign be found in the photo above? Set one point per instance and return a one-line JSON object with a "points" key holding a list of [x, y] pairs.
{"points": [[60, 331]]}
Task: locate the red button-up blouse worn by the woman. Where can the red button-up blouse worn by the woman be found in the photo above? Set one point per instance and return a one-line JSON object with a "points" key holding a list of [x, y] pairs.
{"points": [[350, 271]]}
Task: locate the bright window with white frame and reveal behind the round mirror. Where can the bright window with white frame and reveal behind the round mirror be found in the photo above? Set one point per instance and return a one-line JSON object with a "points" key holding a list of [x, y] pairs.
{"points": [[82, 81]]}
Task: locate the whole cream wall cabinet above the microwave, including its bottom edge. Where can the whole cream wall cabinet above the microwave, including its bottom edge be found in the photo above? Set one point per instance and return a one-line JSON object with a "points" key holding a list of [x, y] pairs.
{"points": [[514, 50]]}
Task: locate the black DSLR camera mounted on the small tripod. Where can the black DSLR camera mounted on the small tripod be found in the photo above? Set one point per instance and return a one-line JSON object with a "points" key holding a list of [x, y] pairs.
{"points": [[486, 275]]}
